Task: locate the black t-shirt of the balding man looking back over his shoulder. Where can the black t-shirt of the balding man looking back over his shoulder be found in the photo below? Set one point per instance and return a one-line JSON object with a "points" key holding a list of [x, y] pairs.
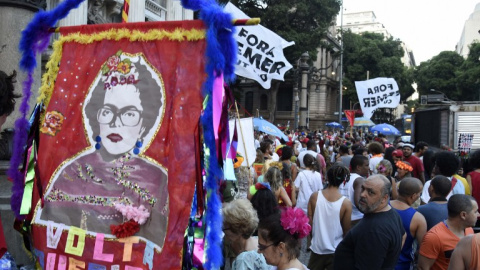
{"points": [[374, 243]]}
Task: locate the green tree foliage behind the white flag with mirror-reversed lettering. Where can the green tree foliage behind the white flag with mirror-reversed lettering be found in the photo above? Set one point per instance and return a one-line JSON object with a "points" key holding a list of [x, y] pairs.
{"points": [[380, 57]]}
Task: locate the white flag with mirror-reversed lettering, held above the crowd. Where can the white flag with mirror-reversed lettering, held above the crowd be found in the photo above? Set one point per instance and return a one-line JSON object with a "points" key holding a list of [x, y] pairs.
{"points": [[377, 93]]}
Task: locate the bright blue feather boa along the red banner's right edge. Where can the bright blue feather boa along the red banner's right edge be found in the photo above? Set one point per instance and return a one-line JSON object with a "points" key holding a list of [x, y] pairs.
{"points": [[221, 58]]}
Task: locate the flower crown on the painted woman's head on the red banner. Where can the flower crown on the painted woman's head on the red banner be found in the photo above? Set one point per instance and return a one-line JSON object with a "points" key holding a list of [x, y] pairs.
{"points": [[118, 71]]}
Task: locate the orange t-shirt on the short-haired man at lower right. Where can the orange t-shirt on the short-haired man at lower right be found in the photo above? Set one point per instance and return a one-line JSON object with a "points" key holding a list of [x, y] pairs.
{"points": [[438, 244]]}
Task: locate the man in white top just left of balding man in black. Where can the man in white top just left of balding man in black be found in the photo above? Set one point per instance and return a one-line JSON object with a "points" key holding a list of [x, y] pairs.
{"points": [[351, 189]]}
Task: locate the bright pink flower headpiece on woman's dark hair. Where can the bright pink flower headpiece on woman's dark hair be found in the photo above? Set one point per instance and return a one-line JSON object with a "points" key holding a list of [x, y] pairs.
{"points": [[295, 222]]}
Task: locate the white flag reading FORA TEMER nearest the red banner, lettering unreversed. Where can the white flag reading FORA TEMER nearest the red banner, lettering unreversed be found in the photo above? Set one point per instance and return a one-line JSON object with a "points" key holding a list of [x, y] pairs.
{"points": [[260, 51]]}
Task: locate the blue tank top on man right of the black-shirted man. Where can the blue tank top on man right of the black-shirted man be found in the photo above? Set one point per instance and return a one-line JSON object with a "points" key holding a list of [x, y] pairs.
{"points": [[407, 253]]}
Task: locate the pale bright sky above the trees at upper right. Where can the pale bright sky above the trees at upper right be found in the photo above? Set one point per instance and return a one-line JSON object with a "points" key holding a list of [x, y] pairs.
{"points": [[426, 26]]}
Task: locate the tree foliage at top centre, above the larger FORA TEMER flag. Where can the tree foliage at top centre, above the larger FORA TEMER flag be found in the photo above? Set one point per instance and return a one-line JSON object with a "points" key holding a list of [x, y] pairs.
{"points": [[303, 21]]}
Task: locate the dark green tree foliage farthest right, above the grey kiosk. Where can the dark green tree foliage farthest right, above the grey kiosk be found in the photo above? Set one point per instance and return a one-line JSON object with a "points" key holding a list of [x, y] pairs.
{"points": [[439, 73]]}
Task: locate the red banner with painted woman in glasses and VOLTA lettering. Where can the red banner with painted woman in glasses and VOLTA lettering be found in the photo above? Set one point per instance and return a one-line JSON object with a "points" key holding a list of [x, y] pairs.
{"points": [[117, 146]]}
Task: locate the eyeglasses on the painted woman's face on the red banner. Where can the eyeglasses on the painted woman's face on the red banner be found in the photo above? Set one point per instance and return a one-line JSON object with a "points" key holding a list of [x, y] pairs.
{"points": [[129, 116]]}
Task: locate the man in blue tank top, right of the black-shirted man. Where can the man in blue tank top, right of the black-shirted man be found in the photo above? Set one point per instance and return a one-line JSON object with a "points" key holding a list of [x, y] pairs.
{"points": [[414, 223]]}
